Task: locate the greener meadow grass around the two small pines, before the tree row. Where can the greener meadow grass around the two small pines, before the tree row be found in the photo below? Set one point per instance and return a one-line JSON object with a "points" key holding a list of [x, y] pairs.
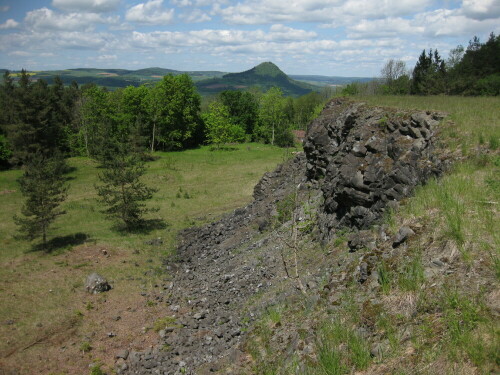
{"points": [[211, 182]]}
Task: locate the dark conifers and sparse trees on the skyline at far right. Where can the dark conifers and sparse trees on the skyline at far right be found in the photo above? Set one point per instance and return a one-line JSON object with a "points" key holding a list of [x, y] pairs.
{"points": [[474, 70]]}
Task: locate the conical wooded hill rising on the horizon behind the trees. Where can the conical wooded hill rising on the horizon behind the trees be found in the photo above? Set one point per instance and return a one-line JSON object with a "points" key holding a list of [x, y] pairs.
{"points": [[262, 76]]}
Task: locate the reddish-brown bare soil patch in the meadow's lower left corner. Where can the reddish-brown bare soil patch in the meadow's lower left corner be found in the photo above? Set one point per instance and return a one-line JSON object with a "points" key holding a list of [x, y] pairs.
{"points": [[105, 323]]}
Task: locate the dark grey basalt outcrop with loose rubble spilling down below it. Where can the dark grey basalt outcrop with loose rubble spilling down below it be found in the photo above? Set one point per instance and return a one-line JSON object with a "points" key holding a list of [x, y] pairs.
{"points": [[358, 162]]}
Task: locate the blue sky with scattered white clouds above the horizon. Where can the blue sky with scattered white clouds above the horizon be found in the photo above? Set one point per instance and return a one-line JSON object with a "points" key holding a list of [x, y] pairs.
{"points": [[328, 37]]}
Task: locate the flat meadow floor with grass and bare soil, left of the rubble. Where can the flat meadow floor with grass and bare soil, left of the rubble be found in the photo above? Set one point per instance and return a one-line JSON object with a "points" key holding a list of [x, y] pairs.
{"points": [[42, 294]]}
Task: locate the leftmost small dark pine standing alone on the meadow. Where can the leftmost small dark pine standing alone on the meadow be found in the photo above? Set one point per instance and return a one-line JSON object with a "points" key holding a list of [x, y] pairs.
{"points": [[44, 188]]}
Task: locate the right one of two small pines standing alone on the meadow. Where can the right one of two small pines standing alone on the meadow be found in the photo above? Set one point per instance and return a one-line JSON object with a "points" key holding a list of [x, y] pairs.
{"points": [[122, 191]]}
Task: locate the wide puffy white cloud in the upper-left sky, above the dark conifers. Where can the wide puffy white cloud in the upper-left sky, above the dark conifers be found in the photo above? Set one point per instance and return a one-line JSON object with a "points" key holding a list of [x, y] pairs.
{"points": [[46, 19]]}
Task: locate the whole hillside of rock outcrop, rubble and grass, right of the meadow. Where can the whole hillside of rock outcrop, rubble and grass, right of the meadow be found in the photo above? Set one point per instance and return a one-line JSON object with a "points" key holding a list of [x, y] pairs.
{"points": [[335, 269]]}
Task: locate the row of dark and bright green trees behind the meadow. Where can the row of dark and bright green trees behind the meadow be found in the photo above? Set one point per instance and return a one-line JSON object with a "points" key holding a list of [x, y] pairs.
{"points": [[88, 120]]}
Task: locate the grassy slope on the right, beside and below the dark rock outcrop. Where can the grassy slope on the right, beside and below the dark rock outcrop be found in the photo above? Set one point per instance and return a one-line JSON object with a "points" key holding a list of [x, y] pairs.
{"points": [[420, 321]]}
